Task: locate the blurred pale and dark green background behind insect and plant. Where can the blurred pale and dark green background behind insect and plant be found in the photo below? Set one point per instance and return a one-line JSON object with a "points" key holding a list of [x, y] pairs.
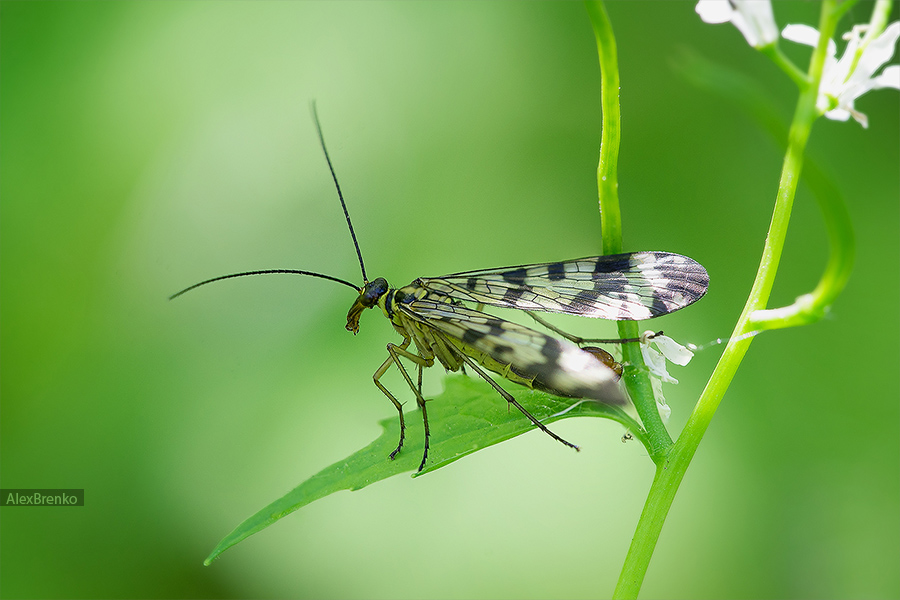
{"points": [[147, 146]]}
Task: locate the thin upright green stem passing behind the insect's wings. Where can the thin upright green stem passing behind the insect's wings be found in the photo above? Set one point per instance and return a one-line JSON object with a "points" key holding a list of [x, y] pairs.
{"points": [[636, 377]]}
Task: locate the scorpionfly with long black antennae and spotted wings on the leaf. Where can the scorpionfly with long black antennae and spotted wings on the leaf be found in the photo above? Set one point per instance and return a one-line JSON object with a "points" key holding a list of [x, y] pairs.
{"points": [[436, 325]]}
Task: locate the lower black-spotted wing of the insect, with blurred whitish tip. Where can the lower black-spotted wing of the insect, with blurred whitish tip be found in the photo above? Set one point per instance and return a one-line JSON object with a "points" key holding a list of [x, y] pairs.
{"points": [[554, 365]]}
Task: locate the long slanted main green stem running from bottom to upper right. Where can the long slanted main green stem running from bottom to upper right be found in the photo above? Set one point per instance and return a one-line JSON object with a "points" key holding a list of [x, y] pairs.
{"points": [[670, 473]]}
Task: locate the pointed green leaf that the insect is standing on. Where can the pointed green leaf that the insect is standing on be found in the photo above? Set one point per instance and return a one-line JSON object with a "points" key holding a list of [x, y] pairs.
{"points": [[468, 416]]}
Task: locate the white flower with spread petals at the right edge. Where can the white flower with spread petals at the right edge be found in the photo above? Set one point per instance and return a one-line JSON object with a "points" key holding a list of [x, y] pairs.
{"points": [[845, 80]]}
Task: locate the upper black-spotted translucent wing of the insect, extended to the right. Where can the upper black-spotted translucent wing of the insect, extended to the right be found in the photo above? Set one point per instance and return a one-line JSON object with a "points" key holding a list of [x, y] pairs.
{"points": [[632, 286]]}
